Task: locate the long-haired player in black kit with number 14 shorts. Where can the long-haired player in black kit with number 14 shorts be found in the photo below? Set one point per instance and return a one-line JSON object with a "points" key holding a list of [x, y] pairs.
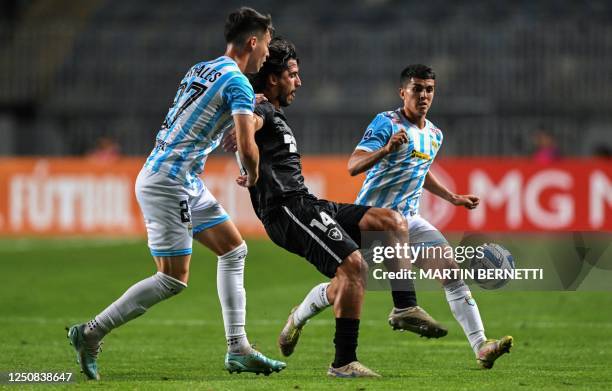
{"points": [[321, 231]]}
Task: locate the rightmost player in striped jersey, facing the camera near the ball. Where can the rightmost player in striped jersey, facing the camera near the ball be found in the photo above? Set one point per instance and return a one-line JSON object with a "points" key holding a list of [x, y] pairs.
{"points": [[397, 151]]}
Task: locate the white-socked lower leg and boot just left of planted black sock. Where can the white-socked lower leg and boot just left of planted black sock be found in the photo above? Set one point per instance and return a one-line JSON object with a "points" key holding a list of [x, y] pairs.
{"points": [[314, 302]]}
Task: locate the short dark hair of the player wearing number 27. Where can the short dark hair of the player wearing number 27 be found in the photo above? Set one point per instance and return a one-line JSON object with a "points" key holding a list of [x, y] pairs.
{"points": [[244, 23]]}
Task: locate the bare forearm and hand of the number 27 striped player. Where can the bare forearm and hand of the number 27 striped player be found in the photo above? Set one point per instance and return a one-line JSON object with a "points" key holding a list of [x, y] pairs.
{"points": [[245, 142]]}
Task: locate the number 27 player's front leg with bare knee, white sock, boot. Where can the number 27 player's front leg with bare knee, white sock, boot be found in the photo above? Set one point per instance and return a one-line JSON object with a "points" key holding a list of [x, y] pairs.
{"points": [[225, 240]]}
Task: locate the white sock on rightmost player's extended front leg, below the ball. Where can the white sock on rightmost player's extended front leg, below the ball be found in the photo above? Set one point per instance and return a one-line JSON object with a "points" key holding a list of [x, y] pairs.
{"points": [[465, 310]]}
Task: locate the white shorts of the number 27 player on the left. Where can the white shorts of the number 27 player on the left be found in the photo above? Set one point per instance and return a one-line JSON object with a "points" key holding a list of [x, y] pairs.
{"points": [[173, 212]]}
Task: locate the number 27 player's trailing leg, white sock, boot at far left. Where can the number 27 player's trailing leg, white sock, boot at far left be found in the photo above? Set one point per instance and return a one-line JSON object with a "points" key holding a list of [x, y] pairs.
{"points": [[86, 338]]}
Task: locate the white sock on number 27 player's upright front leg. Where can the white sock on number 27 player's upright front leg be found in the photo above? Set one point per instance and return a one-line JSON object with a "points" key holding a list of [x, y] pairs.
{"points": [[230, 288]]}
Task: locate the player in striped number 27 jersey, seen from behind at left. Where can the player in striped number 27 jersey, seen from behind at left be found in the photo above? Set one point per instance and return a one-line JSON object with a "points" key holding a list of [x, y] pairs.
{"points": [[177, 206]]}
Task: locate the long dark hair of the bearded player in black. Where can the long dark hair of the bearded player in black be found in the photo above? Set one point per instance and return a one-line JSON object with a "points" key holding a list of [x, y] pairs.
{"points": [[281, 51]]}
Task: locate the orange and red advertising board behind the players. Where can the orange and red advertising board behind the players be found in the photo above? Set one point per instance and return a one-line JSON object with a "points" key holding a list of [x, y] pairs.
{"points": [[80, 197]]}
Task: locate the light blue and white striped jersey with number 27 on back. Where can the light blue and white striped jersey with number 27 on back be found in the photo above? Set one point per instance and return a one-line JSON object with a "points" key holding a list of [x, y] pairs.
{"points": [[209, 94]]}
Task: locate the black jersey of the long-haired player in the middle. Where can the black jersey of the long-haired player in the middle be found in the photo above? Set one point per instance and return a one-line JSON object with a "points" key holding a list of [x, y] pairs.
{"points": [[280, 168]]}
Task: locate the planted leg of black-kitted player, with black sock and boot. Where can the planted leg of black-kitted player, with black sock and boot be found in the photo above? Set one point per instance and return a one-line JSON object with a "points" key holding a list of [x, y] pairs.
{"points": [[345, 292]]}
